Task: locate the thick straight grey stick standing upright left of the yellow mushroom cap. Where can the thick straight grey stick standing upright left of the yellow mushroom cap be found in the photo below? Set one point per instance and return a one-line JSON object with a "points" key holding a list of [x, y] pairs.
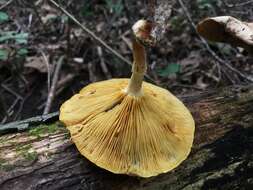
{"points": [[51, 93]]}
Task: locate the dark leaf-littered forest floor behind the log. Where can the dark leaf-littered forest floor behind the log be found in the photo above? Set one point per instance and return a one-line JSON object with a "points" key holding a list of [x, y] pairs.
{"points": [[35, 35]]}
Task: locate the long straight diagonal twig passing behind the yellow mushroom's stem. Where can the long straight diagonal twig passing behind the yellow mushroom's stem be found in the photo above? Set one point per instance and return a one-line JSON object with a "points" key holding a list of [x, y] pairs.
{"points": [[99, 40]]}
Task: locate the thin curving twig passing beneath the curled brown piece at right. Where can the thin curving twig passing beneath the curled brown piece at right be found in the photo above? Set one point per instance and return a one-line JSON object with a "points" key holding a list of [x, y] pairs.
{"points": [[216, 57]]}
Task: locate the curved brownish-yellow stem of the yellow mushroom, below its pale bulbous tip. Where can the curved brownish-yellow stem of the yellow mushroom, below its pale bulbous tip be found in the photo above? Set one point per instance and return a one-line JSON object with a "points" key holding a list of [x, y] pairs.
{"points": [[138, 69]]}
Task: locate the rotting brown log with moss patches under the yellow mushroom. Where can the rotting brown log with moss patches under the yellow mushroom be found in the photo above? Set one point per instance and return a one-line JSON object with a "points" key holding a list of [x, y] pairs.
{"points": [[43, 157]]}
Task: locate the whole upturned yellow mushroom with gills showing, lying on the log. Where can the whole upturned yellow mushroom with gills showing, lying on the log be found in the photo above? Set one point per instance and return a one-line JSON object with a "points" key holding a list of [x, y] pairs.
{"points": [[128, 126]]}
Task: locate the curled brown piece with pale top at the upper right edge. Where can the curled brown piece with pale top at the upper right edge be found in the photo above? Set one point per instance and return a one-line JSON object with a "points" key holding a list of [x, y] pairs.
{"points": [[229, 30]]}
